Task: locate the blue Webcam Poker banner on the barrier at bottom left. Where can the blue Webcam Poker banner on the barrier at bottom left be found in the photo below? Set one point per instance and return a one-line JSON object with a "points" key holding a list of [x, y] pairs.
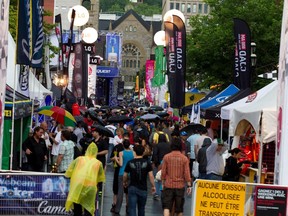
{"points": [[28, 194]]}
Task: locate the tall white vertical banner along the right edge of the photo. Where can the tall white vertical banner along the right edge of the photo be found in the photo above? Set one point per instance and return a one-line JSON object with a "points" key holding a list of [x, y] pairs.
{"points": [[281, 159]]}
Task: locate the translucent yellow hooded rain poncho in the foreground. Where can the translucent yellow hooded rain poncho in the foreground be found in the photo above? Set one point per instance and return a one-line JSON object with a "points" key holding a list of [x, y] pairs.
{"points": [[85, 173]]}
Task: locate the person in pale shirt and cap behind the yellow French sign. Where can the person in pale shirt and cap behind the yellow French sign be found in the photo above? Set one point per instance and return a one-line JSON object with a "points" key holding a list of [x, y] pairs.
{"points": [[215, 162]]}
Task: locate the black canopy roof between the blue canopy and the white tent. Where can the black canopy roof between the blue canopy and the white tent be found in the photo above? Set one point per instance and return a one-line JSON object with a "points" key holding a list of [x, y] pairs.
{"points": [[215, 111]]}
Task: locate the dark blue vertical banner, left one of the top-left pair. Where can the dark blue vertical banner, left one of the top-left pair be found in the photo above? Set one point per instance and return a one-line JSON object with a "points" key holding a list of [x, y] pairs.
{"points": [[23, 33]]}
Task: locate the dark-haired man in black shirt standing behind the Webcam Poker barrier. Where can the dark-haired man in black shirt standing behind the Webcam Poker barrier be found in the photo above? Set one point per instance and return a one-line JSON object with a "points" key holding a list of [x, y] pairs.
{"points": [[36, 150]]}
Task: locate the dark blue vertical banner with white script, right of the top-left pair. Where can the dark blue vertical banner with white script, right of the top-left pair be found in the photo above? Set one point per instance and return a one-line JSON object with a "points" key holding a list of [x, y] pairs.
{"points": [[37, 34]]}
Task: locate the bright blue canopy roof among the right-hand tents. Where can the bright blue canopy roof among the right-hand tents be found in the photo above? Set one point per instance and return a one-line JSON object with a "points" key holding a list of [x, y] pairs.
{"points": [[221, 97]]}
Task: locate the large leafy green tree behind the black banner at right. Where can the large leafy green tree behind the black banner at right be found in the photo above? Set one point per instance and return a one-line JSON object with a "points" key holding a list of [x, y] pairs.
{"points": [[210, 46]]}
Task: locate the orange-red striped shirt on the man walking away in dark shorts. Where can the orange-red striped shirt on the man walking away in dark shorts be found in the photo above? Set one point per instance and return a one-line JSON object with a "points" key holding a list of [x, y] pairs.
{"points": [[175, 170]]}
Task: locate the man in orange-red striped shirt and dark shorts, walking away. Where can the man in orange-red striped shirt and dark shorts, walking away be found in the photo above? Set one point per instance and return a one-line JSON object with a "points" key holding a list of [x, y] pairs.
{"points": [[175, 176]]}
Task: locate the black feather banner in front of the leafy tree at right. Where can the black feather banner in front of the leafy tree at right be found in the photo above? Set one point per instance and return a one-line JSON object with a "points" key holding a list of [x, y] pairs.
{"points": [[242, 62]]}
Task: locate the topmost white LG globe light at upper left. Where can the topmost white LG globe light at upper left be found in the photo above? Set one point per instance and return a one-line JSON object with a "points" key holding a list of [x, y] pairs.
{"points": [[81, 15]]}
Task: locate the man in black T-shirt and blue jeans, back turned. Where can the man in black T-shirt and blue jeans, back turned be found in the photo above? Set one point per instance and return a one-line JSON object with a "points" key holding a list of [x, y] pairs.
{"points": [[138, 169]]}
